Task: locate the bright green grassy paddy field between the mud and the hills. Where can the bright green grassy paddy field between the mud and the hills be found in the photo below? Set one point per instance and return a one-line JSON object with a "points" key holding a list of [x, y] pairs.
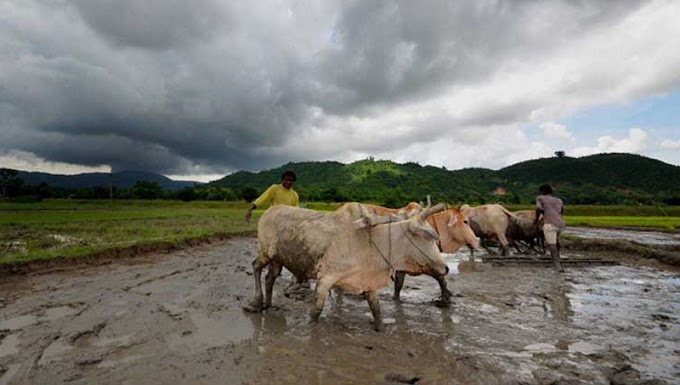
{"points": [[68, 228]]}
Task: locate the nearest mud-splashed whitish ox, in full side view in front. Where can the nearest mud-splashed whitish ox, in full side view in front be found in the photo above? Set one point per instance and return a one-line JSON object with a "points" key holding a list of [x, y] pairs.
{"points": [[337, 250]]}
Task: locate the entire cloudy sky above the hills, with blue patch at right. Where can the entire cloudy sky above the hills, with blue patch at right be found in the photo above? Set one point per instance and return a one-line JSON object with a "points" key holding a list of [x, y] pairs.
{"points": [[199, 89]]}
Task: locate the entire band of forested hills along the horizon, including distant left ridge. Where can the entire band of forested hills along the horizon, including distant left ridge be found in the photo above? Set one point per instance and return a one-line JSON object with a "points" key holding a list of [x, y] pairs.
{"points": [[597, 179]]}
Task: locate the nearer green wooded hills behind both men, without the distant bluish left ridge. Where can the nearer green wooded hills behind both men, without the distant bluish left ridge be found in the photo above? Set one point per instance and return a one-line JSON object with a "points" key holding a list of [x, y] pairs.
{"points": [[603, 179]]}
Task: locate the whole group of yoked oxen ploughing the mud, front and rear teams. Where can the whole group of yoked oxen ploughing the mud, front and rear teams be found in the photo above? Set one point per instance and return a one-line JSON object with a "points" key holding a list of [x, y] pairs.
{"points": [[358, 247]]}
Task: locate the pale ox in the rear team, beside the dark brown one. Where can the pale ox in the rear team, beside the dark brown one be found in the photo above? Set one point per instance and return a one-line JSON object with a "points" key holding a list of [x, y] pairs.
{"points": [[489, 222]]}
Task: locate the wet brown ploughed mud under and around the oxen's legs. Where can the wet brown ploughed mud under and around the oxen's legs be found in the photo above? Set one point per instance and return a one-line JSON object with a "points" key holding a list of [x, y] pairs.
{"points": [[177, 319]]}
